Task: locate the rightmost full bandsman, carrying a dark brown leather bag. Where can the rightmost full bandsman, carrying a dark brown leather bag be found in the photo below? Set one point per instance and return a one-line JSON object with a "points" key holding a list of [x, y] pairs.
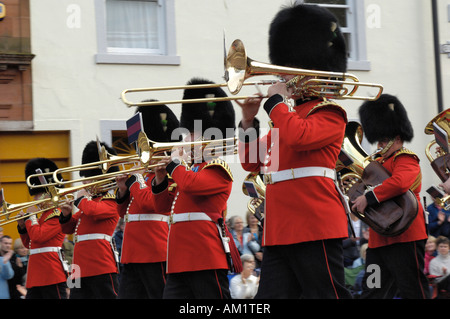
{"points": [[401, 257]]}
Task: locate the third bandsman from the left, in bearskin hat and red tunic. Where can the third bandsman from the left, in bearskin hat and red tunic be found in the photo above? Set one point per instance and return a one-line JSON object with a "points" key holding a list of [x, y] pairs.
{"points": [[144, 247]]}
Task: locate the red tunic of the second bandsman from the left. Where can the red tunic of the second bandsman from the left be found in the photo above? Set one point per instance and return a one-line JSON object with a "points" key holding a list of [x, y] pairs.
{"points": [[93, 257]]}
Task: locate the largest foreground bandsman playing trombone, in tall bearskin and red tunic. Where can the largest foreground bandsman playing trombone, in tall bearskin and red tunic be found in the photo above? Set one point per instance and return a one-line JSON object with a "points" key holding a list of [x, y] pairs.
{"points": [[305, 220]]}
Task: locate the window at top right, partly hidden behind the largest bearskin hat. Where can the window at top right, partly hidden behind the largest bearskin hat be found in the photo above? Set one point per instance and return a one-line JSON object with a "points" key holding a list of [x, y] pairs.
{"points": [[350, 14]]}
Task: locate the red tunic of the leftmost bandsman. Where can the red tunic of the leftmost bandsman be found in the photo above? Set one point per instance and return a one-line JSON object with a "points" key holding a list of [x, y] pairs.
{"points": [[44, 268]]}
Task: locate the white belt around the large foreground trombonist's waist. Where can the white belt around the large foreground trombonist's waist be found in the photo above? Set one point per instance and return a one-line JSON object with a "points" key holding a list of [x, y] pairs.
{"points": [[294, 173]]}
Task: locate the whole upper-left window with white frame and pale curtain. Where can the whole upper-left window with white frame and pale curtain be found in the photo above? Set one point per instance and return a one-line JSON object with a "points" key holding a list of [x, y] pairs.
{"points": [[136, 32]]}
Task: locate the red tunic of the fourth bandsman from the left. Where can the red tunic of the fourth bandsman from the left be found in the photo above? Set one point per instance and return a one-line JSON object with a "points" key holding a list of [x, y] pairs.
{"points": [[196, 245]]}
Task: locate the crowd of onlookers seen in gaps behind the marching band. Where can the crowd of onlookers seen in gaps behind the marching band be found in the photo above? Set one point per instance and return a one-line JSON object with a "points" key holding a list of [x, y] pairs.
{"points": [[247, 235]]}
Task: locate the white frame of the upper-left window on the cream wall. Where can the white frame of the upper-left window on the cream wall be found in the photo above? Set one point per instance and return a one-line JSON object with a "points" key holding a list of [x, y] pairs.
{"points": [[138, 56]]}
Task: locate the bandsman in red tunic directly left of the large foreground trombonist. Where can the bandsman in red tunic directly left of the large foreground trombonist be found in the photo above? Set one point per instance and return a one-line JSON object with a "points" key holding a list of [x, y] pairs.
{"points": [[199, 243]]}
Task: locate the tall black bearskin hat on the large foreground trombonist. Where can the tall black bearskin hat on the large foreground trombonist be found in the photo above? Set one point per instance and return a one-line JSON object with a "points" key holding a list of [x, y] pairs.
{"points": [[309, 37]]}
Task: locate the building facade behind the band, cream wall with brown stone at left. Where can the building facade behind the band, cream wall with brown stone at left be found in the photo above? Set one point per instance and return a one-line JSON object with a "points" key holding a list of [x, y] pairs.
{"points": [[65, 63]]}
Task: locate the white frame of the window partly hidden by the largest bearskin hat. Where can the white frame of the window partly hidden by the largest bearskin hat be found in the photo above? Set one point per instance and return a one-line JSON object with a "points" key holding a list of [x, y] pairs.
{"points": [[356, 27]]}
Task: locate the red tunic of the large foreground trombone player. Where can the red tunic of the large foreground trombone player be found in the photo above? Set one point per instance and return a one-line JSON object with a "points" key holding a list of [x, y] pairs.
{"points": [[309, 208]]}
